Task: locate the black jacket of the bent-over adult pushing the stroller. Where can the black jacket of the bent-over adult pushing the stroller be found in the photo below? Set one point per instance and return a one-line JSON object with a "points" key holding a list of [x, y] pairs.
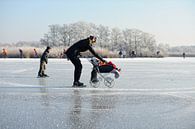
{"points": [[81, 46]]}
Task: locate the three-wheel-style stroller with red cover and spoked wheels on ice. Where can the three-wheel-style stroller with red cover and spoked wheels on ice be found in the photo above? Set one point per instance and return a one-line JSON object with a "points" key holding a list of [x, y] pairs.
{"points": [[104, 72]]}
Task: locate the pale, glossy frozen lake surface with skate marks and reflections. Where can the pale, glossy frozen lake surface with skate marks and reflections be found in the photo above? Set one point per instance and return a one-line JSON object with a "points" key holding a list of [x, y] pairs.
{"points": [[151, 93]]}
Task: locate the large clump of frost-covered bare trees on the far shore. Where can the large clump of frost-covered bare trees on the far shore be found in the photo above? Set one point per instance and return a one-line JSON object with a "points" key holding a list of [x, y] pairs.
{"points": [[113, 39]]}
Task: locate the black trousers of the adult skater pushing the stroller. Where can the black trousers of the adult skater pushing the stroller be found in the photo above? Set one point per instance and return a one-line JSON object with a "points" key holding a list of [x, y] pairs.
{"points": [[78, 68]]}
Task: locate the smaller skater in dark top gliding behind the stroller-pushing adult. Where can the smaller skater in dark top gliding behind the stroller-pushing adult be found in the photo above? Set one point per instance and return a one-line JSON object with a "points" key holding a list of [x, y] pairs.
{"points": [[43, 62]]}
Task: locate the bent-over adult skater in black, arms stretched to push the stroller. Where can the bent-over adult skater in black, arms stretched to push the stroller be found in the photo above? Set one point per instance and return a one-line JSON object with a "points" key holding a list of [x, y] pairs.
{"points": [[73, 54]]}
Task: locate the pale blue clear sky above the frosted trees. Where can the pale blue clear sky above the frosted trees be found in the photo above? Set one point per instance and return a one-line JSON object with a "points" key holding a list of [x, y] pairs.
{"points": [[171, 21]]}
